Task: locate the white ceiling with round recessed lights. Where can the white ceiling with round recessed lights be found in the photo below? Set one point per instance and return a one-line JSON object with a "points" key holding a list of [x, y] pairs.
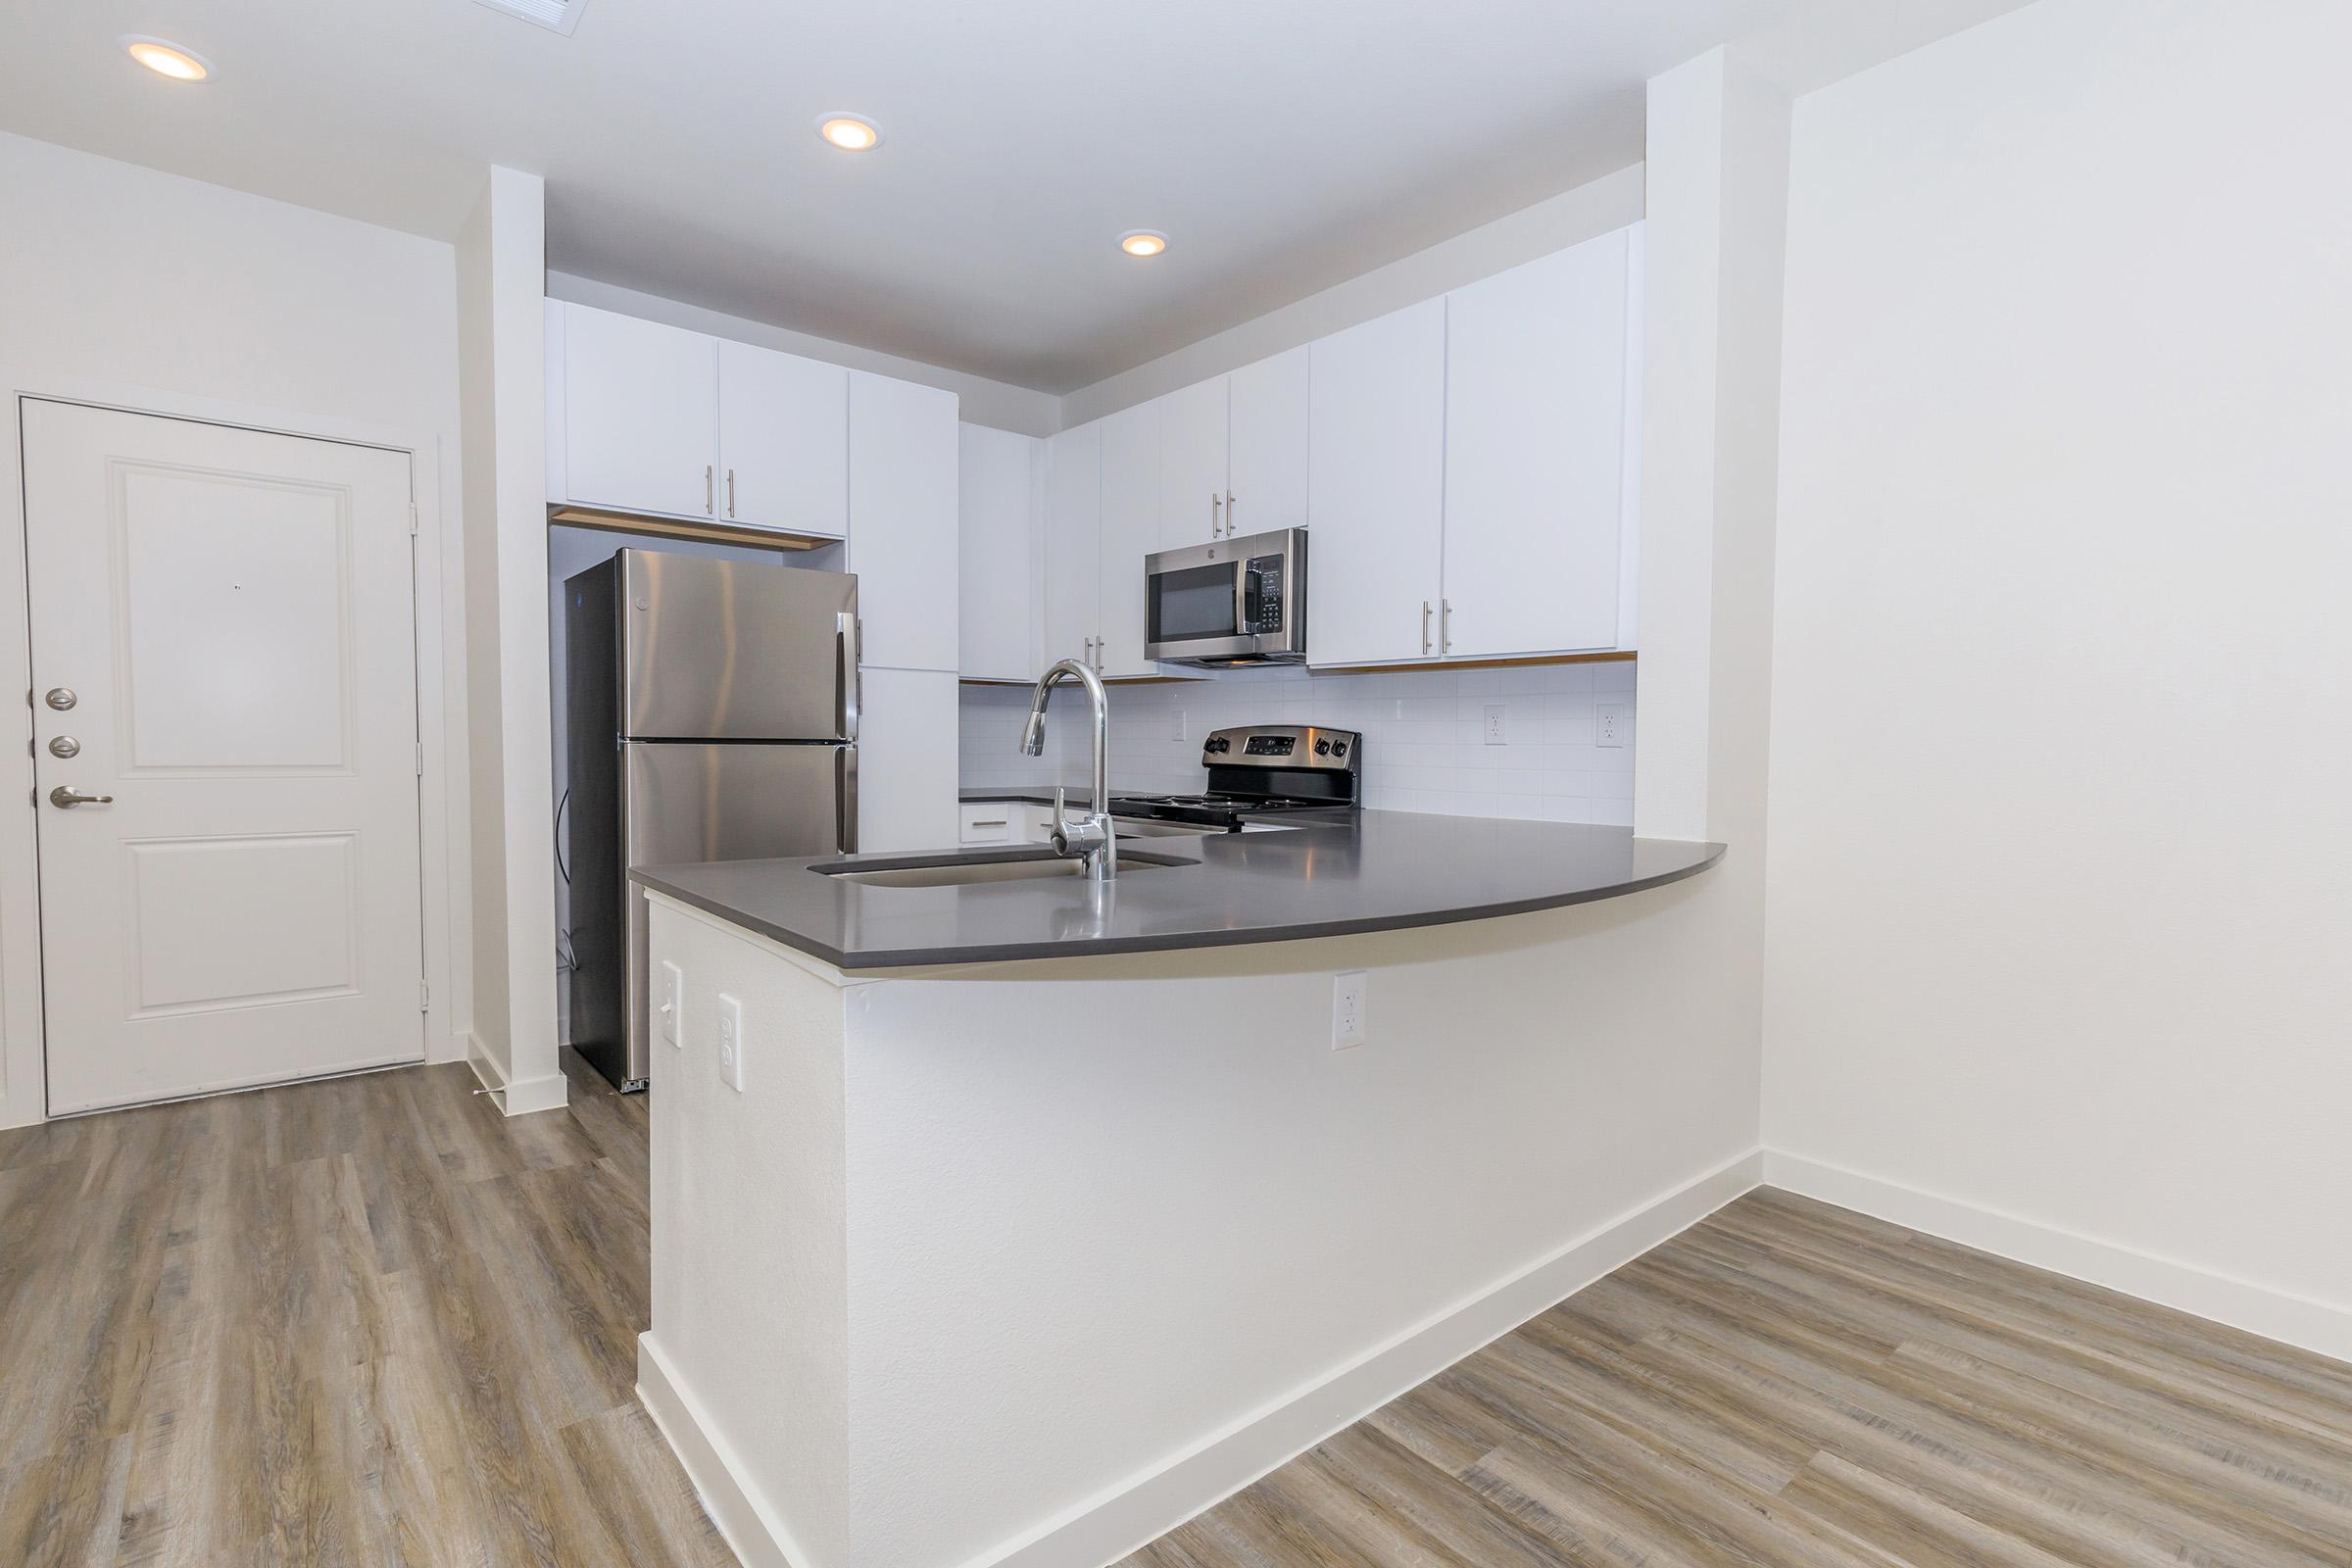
{"points": [[1283, 145]]}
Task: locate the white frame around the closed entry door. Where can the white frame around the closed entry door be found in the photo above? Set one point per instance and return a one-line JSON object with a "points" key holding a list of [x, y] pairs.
{"points": [[441, 716]]}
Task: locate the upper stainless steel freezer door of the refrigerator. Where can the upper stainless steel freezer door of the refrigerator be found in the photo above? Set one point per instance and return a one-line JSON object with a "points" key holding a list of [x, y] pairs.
{"points": [[737, 652]]}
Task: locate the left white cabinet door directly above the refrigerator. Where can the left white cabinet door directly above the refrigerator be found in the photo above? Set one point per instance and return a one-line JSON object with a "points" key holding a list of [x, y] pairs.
{"points": [[641, 415]]}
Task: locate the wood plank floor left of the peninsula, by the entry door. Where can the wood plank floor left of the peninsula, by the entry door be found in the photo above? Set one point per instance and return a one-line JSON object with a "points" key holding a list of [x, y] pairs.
{"points": [[354, 1322]]}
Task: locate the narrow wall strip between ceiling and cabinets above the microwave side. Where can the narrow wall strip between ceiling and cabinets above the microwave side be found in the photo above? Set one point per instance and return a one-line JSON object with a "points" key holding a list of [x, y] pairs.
{"points": [[1553, 225]]}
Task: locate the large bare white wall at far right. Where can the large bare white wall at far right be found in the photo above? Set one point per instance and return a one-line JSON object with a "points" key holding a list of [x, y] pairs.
{"points": [[2064, 676]]}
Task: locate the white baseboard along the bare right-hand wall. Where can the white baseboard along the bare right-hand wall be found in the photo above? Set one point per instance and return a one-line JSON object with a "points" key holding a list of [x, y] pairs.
{"points": [[2186, 1287]]}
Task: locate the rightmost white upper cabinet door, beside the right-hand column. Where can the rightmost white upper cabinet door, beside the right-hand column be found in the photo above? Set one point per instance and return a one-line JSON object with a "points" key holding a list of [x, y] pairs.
{"points": [[1537, 455]]}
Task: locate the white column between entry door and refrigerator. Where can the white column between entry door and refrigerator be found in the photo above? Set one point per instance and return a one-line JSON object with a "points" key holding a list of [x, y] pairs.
{"points": [[502, 406]]}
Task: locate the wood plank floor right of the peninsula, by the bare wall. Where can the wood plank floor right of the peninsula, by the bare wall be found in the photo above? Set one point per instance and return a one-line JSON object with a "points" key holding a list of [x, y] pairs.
{"points": [[1798, 1386]]}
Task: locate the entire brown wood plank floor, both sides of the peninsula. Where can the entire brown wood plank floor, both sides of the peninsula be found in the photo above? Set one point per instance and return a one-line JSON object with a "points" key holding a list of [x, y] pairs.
{"points": [[373, 1322]]}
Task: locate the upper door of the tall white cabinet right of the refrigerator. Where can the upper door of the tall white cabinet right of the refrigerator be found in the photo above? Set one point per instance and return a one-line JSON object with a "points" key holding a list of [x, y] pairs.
{"points": [[904, 481]]}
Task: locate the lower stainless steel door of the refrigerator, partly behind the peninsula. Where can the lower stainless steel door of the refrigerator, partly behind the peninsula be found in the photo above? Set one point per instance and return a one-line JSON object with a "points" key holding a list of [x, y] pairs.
{"points": [[704, 803]]}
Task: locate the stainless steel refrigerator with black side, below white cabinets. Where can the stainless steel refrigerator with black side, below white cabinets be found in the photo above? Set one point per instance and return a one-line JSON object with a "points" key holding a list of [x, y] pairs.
{"points": [[711, 716]]}
